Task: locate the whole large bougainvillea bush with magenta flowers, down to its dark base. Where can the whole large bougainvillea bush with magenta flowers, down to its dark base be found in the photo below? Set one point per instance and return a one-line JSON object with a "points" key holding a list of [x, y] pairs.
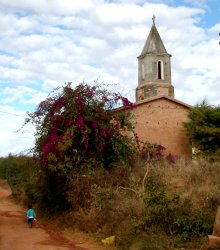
{"points": [[79, 131]]}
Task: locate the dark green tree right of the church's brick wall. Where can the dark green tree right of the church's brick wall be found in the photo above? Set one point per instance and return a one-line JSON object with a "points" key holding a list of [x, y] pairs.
{"points": [[203, 129]]}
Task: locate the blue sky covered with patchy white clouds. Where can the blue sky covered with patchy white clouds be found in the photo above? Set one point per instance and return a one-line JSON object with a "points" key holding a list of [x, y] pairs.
{"points": [[46, 43]]}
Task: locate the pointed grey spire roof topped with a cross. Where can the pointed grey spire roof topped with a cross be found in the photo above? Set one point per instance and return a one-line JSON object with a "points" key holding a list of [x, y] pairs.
{"points": [[154, 42]]}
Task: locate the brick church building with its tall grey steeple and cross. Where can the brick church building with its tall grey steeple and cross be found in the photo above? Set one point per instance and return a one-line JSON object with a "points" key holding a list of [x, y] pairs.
{"points": [[158, 115]]}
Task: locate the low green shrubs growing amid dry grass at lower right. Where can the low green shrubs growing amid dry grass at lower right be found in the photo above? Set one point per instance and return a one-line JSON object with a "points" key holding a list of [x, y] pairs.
{"points": [[172, 214]]}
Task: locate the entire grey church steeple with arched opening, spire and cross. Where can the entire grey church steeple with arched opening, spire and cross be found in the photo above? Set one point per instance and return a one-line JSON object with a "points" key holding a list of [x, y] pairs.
{"points": [[154, 68]]}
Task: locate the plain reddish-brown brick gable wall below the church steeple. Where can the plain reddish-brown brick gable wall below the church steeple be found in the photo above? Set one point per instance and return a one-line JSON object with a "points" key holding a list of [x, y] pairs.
{"points": [[161, 121]]}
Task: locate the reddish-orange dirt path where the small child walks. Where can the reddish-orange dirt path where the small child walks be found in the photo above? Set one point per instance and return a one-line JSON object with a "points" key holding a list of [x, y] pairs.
{"points": [[16, 235]]}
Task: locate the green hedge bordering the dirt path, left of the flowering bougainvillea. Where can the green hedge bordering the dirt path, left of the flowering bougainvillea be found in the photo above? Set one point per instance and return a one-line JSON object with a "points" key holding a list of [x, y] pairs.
{"points": [[31, 185]]}
